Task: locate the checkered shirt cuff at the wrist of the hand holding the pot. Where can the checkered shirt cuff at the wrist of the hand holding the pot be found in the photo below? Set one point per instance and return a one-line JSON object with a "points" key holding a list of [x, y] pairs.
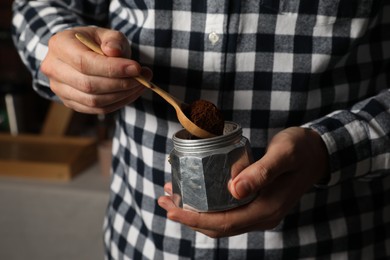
{"points": [[346, 139]]}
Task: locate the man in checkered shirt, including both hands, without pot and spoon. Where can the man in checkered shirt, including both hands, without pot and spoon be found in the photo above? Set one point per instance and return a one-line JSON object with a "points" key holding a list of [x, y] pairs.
{"points": [[307, 80]]}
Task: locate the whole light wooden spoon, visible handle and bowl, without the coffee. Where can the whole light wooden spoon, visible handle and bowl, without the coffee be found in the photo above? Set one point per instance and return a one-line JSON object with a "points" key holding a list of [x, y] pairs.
{"points": [[177, 104]]}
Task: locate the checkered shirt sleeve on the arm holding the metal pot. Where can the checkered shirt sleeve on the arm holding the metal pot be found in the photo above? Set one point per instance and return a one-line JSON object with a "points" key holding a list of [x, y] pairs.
{"points": [[358, 140]]}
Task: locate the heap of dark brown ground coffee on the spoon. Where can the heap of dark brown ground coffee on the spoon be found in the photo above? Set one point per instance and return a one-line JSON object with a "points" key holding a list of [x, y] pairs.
{"points": [[206, 115]]}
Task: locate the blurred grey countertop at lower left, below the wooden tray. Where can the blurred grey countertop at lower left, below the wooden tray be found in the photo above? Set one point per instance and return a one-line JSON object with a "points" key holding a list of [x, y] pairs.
{"points": [[50, 220]]}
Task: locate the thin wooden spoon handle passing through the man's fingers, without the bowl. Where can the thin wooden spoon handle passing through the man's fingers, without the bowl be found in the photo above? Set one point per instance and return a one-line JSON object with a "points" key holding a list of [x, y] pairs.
{"points": [[177, 104]]}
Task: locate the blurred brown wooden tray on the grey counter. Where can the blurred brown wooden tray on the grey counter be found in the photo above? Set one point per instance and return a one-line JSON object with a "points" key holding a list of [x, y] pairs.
{"points": [[45, 157]]}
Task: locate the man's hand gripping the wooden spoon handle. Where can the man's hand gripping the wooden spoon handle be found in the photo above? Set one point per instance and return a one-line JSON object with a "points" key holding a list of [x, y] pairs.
{"points": [[89, 82]]}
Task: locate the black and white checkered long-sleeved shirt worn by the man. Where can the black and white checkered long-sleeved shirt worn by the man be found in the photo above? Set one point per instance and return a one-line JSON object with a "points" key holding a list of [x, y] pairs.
{"points": [[268, 65]]}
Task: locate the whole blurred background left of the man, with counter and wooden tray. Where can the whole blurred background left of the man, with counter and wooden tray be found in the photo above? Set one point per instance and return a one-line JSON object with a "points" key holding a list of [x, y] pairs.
{"points": [[54, 168]]}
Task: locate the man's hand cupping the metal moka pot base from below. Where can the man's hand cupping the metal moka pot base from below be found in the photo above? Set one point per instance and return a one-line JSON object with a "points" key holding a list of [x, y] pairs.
{"points": [[296, 158]]}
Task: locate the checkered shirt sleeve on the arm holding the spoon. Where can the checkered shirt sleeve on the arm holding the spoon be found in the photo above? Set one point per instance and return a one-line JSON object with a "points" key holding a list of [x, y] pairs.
{"points": [[34, 22]]}
